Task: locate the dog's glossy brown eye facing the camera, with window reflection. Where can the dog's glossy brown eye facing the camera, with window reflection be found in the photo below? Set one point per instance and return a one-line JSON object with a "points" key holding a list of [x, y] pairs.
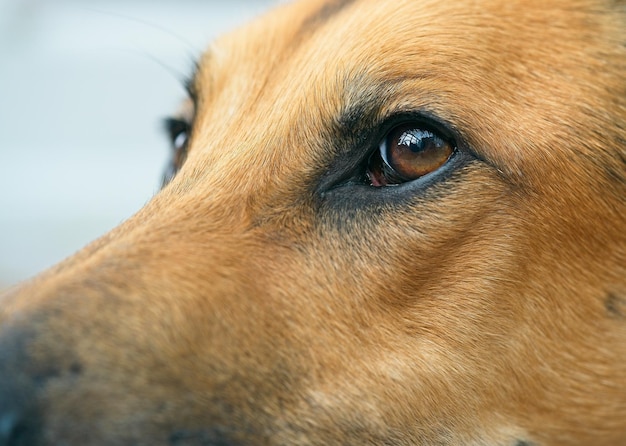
{"points": [[406, 153]]}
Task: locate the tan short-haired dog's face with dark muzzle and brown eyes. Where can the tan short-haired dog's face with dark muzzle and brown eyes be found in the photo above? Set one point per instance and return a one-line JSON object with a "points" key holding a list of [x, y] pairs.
{"points": [[385, 222]]}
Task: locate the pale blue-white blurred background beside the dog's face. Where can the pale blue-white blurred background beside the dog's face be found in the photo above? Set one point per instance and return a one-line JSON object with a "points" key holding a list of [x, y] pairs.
{"points": [[84, 88]]}
